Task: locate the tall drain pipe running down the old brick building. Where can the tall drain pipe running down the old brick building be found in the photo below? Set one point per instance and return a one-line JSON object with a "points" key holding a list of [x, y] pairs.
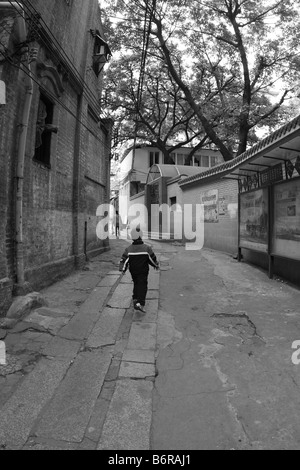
{"points": [[21, 145]]}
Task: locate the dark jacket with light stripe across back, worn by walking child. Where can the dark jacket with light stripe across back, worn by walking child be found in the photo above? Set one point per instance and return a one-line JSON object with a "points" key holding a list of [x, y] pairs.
{"points": [[137, 257]]}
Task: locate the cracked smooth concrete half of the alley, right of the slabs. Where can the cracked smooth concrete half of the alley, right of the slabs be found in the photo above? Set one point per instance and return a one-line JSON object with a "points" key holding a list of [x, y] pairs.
{"points": [[225, 375]]}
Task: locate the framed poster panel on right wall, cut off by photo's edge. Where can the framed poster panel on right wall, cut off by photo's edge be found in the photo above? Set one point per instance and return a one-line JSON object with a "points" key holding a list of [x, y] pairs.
{"points": [[286, 233]]}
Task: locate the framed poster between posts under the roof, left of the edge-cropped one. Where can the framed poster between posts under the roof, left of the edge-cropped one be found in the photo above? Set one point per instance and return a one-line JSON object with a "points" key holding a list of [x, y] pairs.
{"points": [[254, 220]]}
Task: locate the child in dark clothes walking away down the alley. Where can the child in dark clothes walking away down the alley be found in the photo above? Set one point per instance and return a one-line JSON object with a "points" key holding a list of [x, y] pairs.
{"points": [[137, 257]]}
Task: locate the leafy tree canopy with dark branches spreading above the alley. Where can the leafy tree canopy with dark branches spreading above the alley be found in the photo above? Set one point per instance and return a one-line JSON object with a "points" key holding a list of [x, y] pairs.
{"points": [[211, 70]]}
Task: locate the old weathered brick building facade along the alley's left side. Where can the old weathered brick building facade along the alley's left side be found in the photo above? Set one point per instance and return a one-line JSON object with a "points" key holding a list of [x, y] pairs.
{"points": [[62, 190]]}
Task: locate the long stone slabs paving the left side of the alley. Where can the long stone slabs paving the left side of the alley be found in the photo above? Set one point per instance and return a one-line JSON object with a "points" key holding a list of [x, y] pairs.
{"points": [[69, 364]]}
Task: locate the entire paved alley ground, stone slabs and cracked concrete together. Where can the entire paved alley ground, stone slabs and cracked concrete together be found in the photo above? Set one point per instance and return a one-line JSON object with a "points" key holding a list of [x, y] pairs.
{"points": [[207, 367]]}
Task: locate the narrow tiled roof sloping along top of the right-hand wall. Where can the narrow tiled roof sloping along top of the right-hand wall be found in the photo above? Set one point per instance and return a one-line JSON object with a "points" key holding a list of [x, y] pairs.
{"points": [[226, 167]]}
